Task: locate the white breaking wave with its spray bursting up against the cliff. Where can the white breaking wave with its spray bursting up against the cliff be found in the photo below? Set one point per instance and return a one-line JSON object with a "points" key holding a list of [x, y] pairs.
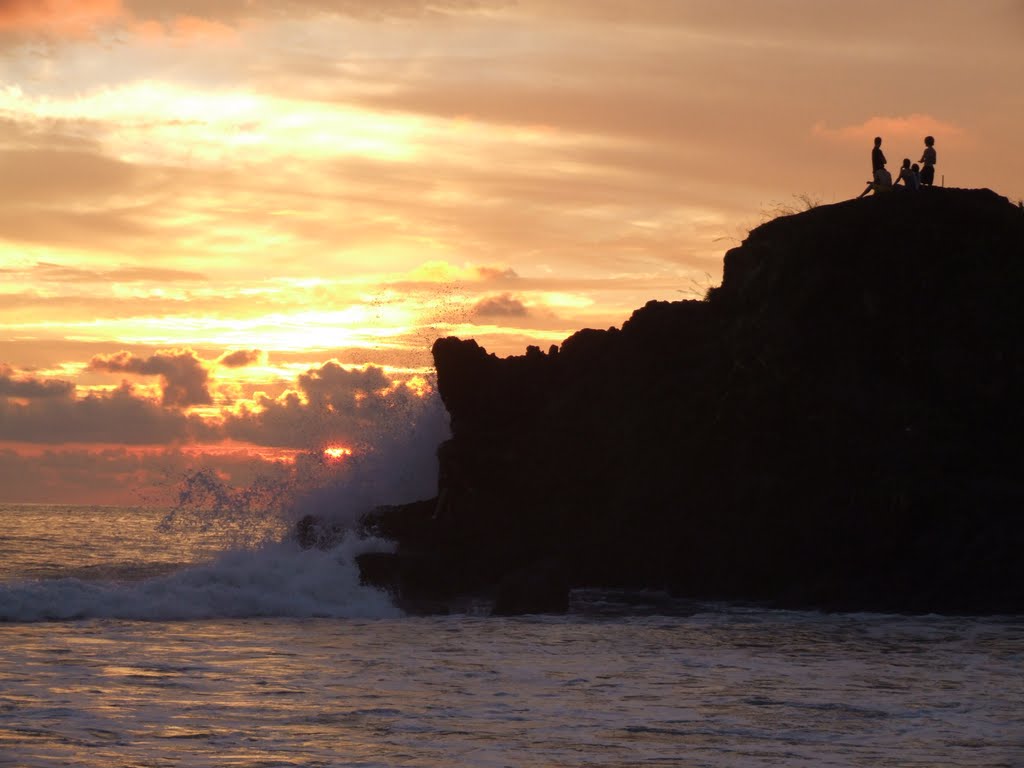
{"points": [[263, 571]]}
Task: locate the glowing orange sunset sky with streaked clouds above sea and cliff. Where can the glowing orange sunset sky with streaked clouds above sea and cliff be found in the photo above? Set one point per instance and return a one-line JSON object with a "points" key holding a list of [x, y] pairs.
{"points": [[231, 230]]}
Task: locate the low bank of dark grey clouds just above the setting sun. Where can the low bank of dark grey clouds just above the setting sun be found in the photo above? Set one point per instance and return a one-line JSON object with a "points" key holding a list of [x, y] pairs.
{"points": [[332, 404]]}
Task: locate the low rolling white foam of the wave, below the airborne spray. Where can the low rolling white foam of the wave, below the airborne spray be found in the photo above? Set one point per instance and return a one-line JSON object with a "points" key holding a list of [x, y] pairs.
{"points": [[278, 580]]}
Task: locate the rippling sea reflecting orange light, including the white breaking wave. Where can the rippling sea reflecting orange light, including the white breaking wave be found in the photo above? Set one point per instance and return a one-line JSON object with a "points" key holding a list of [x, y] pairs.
{"points": [[125, 643]]}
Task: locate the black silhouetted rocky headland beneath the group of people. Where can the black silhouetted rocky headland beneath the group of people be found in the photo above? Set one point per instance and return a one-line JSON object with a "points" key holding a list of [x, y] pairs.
{"points": [[839, 425]]}
